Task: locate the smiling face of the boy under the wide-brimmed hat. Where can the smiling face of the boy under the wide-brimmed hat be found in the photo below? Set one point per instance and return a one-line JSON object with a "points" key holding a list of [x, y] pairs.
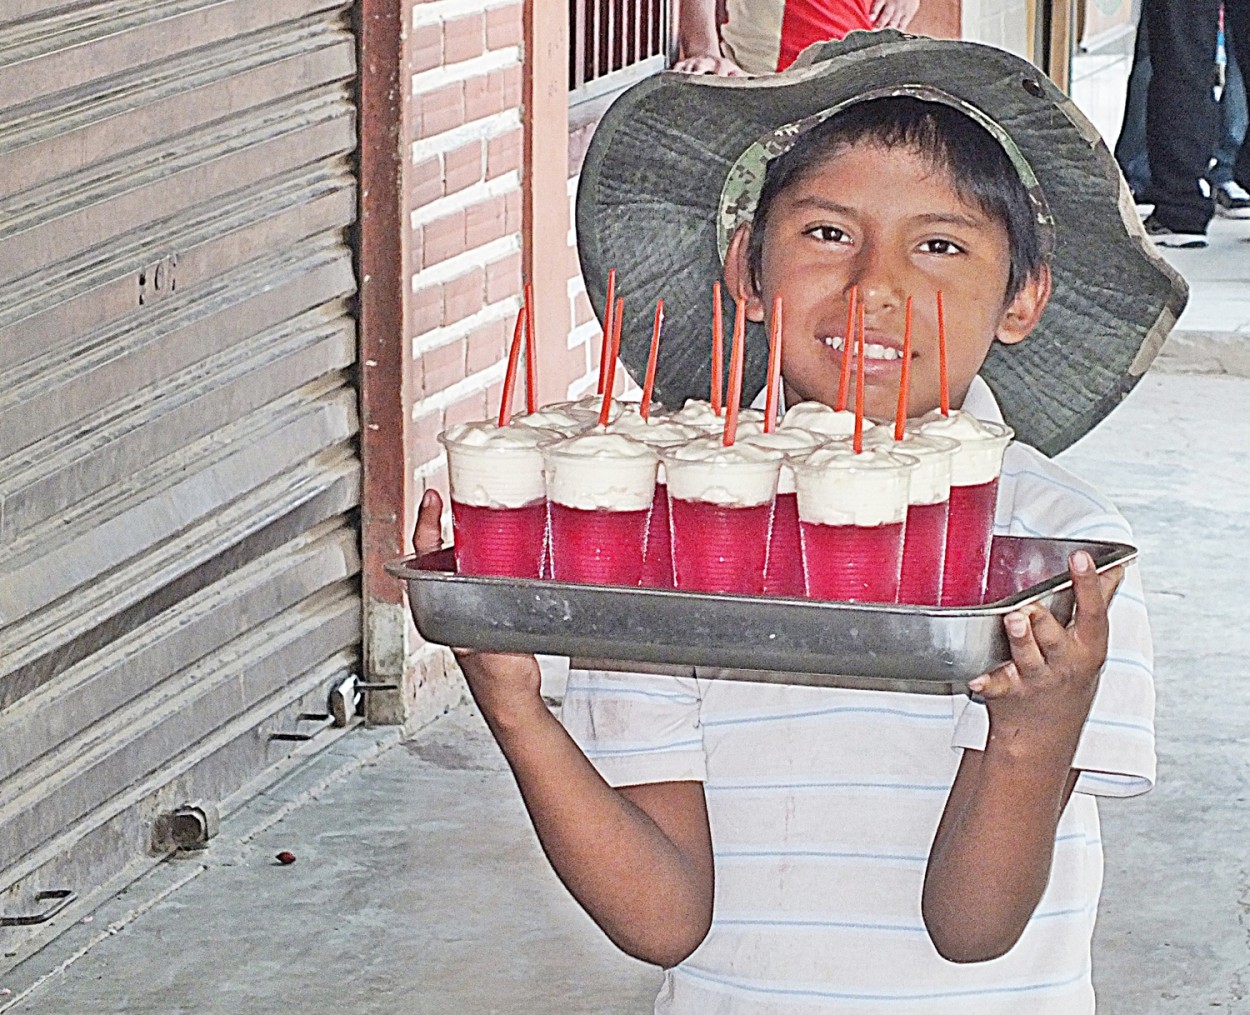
{"points": [[888, 222]]}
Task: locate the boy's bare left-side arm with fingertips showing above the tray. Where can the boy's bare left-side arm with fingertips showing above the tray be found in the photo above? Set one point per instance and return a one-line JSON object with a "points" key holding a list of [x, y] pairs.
{"points": [[638, 859]]}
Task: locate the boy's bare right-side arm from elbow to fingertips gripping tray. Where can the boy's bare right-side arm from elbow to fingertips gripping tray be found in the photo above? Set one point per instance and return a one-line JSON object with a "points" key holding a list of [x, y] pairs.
{"points": [[991, 861]]}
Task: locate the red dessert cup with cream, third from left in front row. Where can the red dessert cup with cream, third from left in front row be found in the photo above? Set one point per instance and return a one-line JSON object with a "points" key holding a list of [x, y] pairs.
{"points": [[721, 513]]}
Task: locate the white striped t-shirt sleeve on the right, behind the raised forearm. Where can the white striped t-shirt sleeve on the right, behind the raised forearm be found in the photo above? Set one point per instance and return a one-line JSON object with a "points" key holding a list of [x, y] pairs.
{"points": [[1117, 751]]}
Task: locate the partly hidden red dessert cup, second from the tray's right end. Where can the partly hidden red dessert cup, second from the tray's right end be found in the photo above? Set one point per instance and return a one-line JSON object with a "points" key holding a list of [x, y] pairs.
{"points": [[924, 548]]}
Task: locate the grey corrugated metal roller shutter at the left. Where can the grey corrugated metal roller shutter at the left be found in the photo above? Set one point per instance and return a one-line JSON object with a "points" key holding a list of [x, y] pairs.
{"points": [[179, 467]]}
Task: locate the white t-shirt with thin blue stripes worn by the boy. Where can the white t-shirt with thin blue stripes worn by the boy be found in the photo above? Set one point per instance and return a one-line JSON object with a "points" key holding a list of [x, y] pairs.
{"points": [[824, 803]]}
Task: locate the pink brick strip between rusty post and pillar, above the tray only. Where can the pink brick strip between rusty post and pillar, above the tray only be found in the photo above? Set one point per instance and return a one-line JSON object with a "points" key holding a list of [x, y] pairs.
{"points": [[466, 198]]}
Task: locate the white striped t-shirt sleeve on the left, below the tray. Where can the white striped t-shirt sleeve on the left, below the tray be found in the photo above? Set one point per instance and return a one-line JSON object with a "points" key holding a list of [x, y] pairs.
{"points": [[637, 728]]}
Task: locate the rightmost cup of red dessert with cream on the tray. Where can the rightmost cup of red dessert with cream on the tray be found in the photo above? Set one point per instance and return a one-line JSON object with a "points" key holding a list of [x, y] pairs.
{"points": [[974, 487]]}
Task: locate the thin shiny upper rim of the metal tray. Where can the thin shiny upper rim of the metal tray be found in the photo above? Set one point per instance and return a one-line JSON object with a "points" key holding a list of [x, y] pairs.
{"points": [[1118, 554]]}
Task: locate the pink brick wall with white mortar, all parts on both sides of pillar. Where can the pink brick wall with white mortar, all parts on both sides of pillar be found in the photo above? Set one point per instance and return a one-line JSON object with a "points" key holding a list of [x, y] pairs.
{"points": [[464, 262]]}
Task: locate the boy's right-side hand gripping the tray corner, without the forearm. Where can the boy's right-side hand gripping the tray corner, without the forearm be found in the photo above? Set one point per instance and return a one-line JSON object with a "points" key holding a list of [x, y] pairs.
{"points": [[1048, 688]]}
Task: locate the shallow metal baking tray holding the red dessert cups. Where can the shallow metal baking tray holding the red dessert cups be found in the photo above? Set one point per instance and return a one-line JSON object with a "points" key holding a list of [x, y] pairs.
{"points": [[747, 638]]}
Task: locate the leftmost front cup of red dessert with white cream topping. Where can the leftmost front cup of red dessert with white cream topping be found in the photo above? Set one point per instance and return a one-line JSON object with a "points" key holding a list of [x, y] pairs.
{"points": [[498, 499]]}
